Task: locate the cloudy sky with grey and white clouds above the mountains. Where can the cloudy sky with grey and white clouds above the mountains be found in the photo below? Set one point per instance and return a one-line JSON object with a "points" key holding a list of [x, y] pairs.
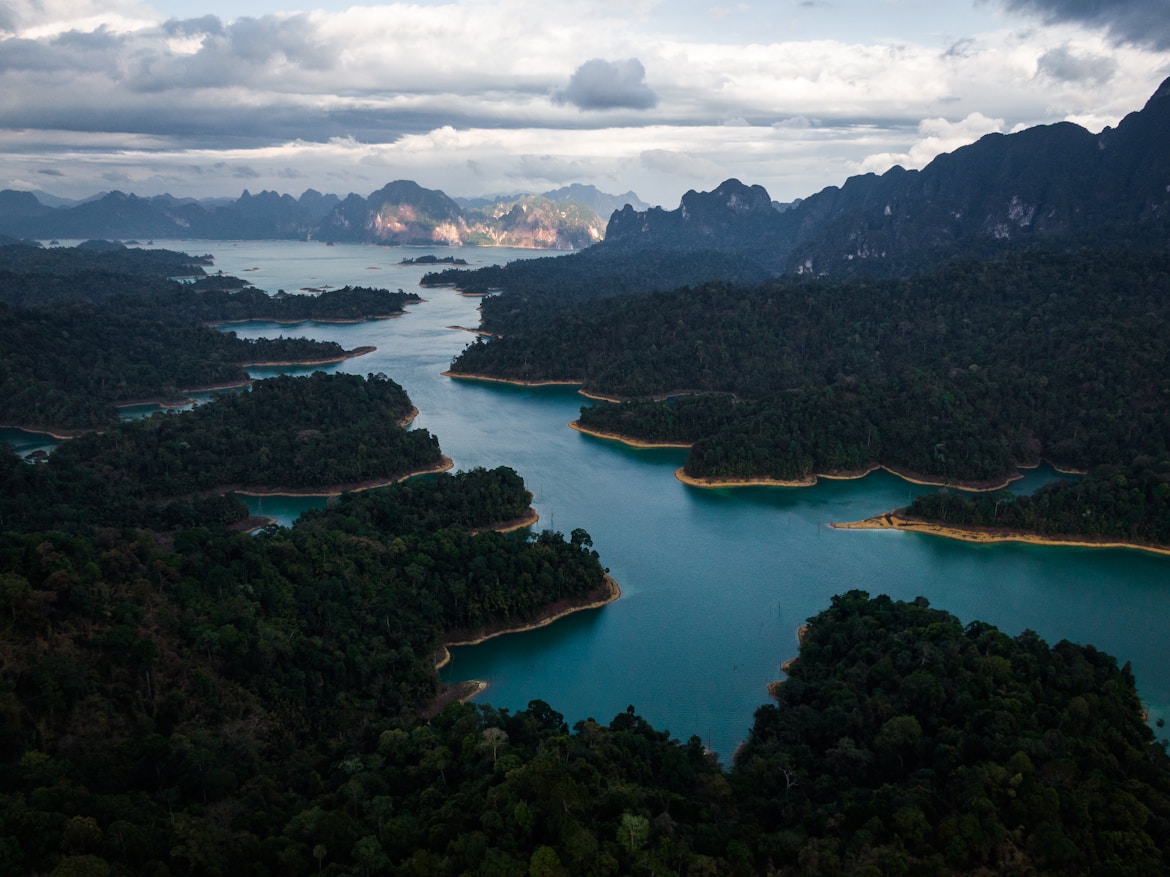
{"points": [[484, 98]]}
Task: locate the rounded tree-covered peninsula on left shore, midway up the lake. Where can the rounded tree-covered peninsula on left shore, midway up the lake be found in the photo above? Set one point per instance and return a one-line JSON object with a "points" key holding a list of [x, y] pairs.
{"points": [[316, 432]]}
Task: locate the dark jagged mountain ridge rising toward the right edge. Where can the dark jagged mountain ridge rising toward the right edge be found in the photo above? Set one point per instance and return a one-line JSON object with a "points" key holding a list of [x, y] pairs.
{"points": [[1045, 184]]}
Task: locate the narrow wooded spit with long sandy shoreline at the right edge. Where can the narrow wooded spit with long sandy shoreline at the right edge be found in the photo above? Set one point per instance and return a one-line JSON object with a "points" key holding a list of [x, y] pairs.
{"points": [[1114, 503]]}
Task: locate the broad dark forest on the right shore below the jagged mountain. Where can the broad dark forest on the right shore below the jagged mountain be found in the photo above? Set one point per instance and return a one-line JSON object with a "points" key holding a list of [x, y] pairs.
{"points": [[956, 376]]}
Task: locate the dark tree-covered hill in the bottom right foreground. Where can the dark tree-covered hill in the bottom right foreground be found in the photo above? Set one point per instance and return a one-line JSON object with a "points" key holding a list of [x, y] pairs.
{"points": [[906, 743]]}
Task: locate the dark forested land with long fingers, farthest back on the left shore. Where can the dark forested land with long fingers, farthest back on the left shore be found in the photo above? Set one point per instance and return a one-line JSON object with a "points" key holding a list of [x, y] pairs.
{"points": [[86, 329]]}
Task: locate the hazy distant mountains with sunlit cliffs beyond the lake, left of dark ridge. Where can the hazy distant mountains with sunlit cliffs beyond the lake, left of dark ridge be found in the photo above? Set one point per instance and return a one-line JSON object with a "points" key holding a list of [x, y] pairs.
{"points": [[400, 213]]}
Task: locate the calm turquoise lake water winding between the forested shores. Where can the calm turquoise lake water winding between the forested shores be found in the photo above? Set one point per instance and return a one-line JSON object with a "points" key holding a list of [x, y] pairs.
{"points": [[715, 583]]}
